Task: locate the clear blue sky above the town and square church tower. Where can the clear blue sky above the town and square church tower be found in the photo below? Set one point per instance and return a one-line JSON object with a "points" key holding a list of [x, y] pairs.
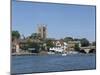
{"points": [[62, 20]]}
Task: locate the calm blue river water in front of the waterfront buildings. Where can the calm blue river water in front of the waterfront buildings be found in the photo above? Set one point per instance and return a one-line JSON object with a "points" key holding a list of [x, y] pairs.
{"points": [[50, 63]]}
